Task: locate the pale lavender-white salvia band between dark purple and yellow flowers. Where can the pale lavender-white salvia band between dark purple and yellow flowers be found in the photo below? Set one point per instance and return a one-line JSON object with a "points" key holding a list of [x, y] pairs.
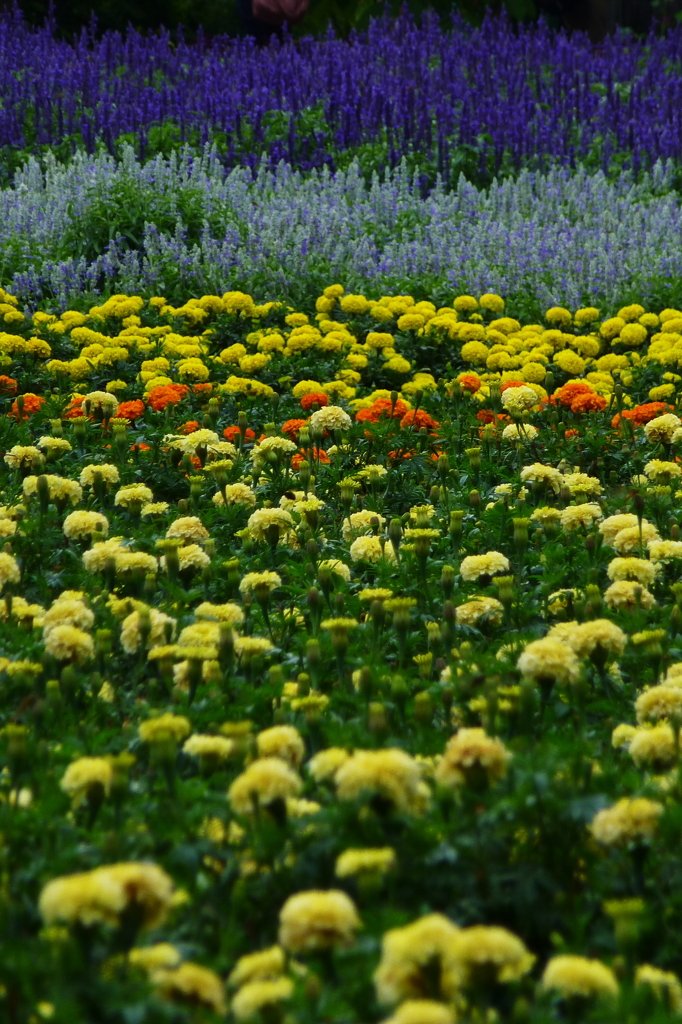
{"points": [[183, 227]]}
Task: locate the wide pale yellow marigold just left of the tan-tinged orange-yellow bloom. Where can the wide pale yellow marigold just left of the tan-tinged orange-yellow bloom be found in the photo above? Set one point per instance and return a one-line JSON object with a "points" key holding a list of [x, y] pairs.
{"points": [[387, 777]]}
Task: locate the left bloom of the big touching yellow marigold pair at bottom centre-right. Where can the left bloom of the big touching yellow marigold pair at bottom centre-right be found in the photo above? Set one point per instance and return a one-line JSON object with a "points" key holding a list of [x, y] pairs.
{"points": [[409, 956]]}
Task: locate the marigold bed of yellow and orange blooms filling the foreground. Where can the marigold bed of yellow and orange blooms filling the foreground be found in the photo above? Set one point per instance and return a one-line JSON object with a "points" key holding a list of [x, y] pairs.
{"points": [[343, 661]]}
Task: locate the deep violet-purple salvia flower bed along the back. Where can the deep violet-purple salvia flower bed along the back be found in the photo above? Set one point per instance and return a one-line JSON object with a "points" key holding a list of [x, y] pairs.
{"points": [[484, 101]]}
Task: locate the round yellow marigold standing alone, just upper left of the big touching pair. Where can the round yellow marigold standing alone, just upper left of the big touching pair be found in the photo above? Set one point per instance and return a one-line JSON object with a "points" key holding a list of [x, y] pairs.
{"points": [[318, 920]]}
